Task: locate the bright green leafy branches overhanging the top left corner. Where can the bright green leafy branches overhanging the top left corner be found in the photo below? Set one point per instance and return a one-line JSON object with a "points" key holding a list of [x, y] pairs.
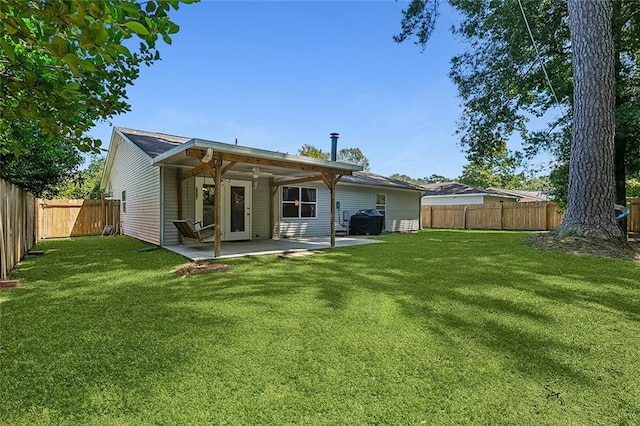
{"points": [[64, 65]]}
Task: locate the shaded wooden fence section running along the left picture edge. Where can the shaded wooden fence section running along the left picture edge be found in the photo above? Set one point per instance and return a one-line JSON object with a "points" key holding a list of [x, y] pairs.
{"points": [[17, 225]]}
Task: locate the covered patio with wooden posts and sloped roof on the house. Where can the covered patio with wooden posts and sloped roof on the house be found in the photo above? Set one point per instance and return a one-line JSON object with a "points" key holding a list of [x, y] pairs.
{"points": [[222, 163]]}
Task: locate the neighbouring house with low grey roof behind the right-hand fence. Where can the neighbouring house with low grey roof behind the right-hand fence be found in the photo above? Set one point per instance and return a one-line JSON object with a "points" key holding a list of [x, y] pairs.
{"points": [[454, 193]]}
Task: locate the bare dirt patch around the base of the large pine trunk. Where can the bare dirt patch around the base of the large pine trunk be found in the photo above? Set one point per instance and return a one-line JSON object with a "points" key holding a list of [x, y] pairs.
{"points": [[578, 245]]}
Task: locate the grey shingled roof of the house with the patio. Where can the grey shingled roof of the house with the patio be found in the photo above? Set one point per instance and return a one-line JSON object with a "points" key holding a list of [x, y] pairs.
{"points": [[161, 146]]}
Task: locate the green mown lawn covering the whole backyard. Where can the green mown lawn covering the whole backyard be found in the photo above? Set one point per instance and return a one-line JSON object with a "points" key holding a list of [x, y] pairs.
{"points": [[439, 327]]}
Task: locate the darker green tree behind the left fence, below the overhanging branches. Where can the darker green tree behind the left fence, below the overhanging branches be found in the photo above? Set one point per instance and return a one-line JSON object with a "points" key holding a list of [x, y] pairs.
{"points": [[43, 165]]}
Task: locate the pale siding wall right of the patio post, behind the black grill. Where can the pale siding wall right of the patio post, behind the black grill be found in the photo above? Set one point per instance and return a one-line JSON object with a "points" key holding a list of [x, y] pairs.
{"points": [[402, 212]]}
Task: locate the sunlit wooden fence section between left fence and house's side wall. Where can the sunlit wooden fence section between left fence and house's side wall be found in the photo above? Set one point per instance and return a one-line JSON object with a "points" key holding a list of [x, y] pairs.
{"points": [[75, 218]]}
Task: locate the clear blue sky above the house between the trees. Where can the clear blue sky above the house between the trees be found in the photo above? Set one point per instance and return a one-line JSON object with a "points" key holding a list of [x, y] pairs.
{"points": [[277, 75]]}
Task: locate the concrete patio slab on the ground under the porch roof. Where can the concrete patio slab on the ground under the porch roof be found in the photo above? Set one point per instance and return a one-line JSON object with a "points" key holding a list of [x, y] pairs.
{"points": [[204, 251]]}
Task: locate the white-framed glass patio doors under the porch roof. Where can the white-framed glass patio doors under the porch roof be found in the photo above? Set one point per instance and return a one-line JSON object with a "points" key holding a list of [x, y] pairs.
{"points": [[235, 209]]}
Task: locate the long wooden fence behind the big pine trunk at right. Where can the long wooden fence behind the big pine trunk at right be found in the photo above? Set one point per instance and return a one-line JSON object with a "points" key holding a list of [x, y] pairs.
{"points": [[539, 216]]}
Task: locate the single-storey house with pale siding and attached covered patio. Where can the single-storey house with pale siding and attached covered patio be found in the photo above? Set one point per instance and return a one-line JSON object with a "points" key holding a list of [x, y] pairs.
{"points": [[263, 194]]}
